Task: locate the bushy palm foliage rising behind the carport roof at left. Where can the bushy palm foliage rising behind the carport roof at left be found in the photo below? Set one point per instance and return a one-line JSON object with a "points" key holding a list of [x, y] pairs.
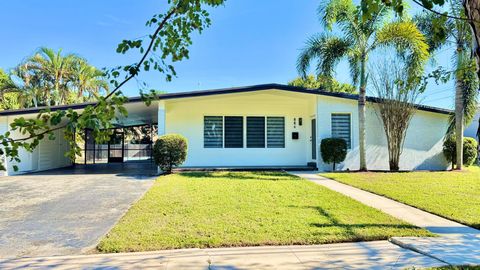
{"points": [[50, 78]]}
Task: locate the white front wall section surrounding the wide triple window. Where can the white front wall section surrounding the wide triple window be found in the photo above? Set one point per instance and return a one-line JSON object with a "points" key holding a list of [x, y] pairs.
{"points": [[185, 116]]}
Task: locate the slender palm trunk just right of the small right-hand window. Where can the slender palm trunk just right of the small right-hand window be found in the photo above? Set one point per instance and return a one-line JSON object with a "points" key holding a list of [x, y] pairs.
{"points": [[361, 115]]}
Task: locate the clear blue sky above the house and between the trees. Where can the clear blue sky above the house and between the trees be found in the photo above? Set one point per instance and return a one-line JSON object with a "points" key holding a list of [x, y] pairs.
{"points": [[249, 42]]}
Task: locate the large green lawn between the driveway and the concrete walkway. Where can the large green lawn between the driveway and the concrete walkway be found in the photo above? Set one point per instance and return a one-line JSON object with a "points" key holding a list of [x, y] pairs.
{"points": [[202, 209]]}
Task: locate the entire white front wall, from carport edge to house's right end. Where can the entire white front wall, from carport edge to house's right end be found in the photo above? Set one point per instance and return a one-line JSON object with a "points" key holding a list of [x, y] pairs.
{"points": [[422, 151]]}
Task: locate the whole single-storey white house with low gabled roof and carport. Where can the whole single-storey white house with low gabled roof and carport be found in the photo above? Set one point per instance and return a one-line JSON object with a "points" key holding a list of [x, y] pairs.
{"points": [[267, 126]]}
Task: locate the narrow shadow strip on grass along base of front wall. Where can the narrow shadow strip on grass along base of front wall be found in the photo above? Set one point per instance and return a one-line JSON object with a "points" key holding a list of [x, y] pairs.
{"points": [[247, 175]]}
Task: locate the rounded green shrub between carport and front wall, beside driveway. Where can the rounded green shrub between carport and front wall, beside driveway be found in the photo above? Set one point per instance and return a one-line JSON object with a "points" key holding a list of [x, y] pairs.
{"points": [[170, 151]]}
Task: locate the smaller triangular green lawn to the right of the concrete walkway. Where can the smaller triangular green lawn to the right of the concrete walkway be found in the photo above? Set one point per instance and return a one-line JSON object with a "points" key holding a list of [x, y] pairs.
{"points": [[454, 195]]}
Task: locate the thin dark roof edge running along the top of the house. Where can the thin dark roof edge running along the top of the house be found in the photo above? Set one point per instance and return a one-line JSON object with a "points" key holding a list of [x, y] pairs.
{"points": [[242, 89]]}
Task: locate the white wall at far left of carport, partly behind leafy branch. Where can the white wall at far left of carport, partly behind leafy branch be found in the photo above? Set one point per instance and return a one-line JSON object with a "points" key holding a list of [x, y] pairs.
{"points": [[50, 154]]}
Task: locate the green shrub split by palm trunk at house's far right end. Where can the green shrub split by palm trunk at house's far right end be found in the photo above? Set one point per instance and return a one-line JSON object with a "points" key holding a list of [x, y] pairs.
{"points": [[469, 150]]}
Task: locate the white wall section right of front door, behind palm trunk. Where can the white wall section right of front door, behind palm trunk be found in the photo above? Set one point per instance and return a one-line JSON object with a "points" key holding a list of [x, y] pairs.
{"points": [[423, 143]]}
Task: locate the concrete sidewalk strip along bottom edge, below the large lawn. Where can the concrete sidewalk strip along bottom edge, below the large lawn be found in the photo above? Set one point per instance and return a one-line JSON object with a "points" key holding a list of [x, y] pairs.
{"points": [[362, 255]]}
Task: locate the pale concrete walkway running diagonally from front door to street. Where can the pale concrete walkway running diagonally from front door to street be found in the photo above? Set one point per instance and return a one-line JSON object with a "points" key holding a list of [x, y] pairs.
{"points": [[458, 244]]}
